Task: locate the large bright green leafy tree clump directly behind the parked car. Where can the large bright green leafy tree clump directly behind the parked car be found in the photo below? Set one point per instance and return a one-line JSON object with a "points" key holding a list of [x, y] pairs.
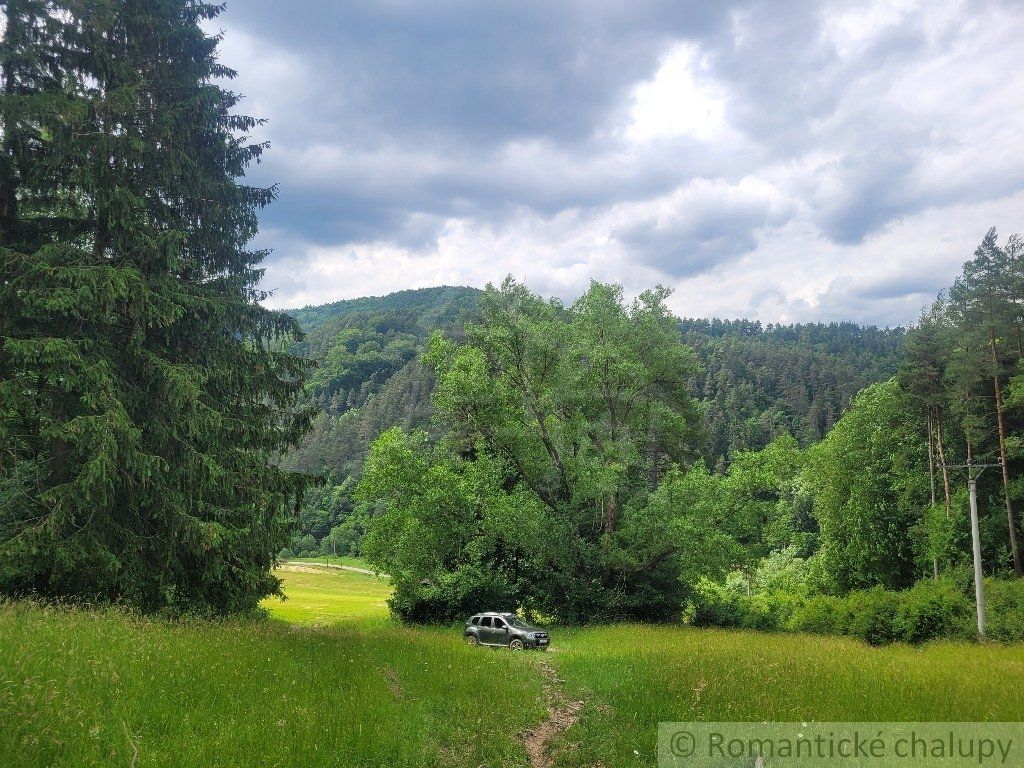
{"points": [[547, 489]]}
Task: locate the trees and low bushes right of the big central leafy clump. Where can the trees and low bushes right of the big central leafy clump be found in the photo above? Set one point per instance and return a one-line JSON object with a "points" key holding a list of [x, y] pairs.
{"points": [[887, 487]]}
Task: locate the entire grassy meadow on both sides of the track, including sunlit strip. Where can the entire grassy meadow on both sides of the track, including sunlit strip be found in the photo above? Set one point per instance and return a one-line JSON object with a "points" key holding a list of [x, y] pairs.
{"points": [[332, 681]]}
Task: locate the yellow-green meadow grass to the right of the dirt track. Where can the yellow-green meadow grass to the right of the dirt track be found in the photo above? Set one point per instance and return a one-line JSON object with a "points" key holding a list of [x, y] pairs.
{"points": [[634, 677]]}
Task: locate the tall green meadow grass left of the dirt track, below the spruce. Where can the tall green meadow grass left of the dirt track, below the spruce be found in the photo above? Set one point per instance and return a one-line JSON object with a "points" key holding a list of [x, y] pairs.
{"points": [[92, 688]]}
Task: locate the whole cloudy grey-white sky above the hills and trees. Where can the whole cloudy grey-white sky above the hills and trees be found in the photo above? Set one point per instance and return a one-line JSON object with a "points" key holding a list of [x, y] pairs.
{"points": [[785, 161]]}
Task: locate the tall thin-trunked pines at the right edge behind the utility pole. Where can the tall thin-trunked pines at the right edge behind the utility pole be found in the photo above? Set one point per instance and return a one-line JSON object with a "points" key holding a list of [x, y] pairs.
{"points": [[963, 375]]}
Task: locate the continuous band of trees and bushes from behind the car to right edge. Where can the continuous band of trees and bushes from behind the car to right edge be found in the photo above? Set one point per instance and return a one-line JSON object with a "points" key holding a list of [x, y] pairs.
{"points": [[568, 478]]}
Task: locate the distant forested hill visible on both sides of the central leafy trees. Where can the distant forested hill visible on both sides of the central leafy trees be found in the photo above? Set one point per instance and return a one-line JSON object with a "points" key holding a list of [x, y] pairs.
{"points": [[753, 385]]}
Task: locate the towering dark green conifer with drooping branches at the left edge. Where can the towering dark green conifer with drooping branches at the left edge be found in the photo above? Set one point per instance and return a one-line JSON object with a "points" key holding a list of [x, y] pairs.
{"points": [[146, 391]]}
